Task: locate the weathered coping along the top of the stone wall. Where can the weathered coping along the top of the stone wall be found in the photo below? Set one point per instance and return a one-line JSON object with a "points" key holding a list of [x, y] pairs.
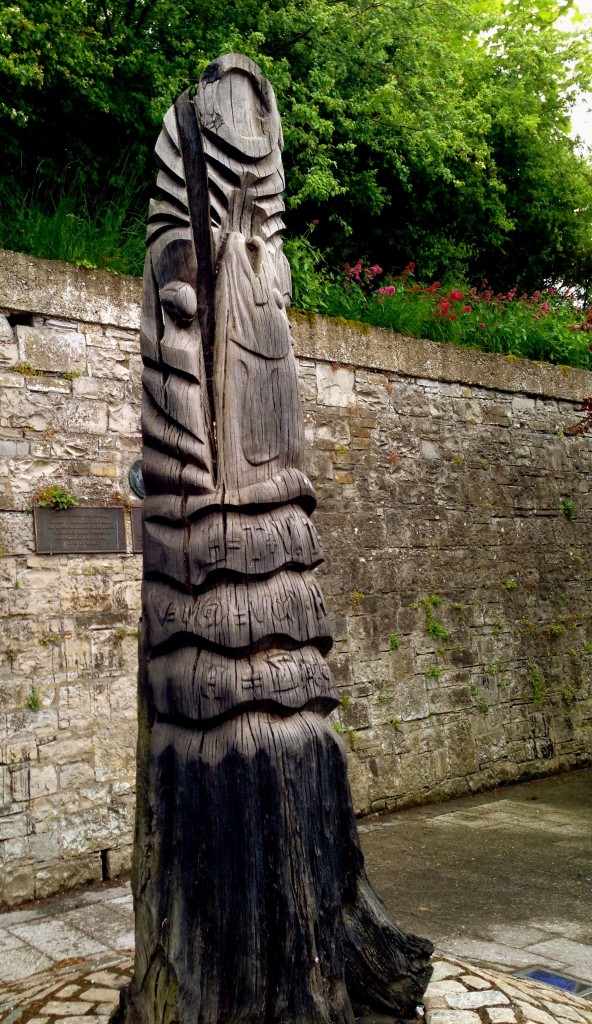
{"points": [[77, 293]]}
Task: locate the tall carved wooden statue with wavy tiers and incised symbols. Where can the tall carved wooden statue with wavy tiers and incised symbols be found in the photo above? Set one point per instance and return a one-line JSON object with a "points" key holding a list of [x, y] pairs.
{"points": [[252, 905]]}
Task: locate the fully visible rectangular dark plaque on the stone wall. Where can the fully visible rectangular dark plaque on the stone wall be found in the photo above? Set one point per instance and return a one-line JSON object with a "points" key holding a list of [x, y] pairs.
{"points": [[79, 531]]}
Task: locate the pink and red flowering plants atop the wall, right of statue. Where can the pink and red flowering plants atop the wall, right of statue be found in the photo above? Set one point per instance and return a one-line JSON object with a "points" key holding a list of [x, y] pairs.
{"points": [[545, 325]]}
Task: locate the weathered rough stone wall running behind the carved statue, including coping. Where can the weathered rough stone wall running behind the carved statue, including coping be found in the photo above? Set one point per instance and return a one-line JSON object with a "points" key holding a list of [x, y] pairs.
{"points": [[456, 518]]}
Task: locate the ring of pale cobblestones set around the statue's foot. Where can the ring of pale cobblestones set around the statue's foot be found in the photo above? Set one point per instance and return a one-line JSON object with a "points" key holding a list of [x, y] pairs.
{"points": [[82, 991]]}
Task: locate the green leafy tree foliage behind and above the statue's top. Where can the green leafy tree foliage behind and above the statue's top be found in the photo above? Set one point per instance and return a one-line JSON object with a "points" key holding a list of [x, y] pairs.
{"points": [[437, 133]]}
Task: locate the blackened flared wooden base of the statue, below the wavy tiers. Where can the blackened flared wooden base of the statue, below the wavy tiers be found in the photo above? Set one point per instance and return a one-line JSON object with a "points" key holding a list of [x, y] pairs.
{"points": [[251, 901]]}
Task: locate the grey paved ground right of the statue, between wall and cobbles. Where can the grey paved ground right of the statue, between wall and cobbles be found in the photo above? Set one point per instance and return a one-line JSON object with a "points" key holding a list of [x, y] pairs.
{"points": [[503, 879]]}
